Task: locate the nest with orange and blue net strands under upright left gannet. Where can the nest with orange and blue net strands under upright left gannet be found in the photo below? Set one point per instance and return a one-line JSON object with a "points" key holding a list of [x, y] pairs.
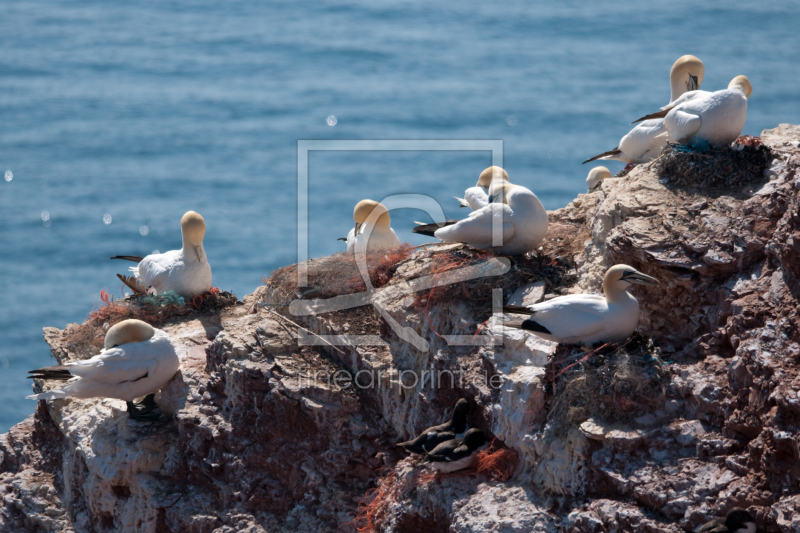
{"points": [[155, 310]]}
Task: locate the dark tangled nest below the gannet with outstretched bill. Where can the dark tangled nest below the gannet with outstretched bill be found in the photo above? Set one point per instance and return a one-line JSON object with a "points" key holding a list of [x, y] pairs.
{"points": [[616, 383]]}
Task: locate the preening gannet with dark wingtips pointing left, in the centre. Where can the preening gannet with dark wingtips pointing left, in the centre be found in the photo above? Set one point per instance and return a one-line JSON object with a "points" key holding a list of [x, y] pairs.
{"points": [[519, 213]]}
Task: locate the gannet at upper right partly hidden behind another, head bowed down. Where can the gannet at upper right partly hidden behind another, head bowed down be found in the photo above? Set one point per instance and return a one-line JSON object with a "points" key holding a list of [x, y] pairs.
{"points": [[646, 140]]}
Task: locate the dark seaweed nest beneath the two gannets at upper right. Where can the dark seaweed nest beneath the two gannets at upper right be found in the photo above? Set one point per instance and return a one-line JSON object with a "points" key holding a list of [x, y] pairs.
{"points": [[727, 169]]}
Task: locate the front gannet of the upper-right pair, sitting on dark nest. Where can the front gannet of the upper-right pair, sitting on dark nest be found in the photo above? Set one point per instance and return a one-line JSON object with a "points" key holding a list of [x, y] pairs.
{"points": [[717, 117]]}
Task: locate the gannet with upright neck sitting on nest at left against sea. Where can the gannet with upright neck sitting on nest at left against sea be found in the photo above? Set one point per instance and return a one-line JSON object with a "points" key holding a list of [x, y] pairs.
{"points": [[185, 271]]}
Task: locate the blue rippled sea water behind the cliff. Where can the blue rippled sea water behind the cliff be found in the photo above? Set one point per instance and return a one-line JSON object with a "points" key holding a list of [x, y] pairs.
{"points": [[142, 111]]}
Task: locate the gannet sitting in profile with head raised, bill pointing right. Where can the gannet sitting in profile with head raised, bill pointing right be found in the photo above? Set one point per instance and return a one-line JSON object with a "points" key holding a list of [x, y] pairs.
{"points": [[587, 318]]}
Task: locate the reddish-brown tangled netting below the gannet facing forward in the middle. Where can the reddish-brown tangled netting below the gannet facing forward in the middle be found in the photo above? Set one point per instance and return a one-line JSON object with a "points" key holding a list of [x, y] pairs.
{"points": [[335, 275]]}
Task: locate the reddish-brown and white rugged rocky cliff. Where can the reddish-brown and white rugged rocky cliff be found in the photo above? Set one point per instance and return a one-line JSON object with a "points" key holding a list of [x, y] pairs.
{"points": [[266, 431]]}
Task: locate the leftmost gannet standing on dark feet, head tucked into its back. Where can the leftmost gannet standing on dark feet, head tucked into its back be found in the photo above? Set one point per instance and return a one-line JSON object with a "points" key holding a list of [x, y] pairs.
{"points": [[136, 360]]}
